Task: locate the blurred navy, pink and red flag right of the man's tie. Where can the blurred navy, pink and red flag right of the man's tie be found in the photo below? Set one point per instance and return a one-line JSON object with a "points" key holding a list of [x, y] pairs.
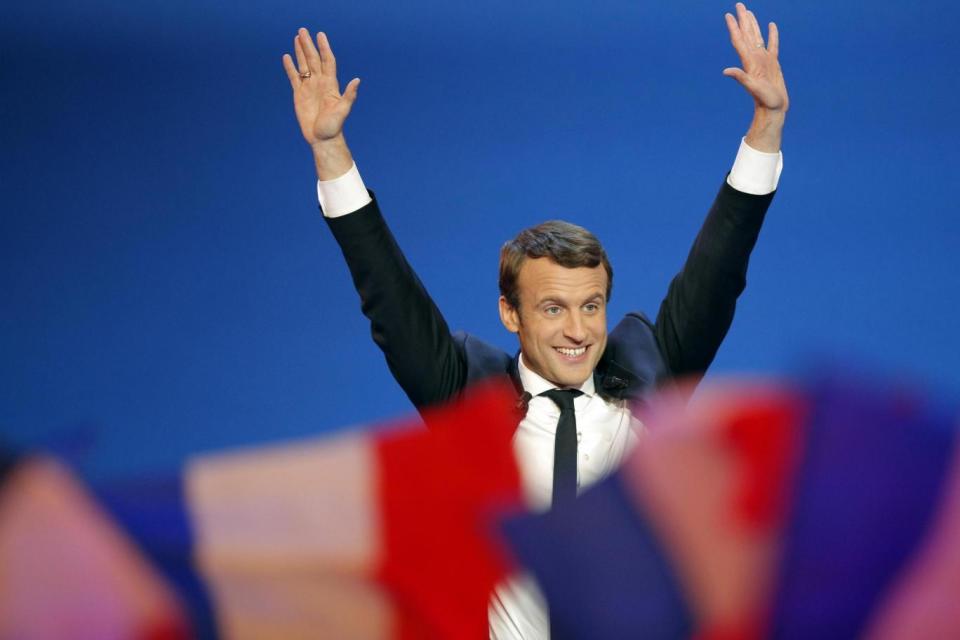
{"points": [[681, 541]]}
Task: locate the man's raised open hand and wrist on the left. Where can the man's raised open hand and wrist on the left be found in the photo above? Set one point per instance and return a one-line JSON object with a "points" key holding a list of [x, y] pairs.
{"points": [[320, 107]]}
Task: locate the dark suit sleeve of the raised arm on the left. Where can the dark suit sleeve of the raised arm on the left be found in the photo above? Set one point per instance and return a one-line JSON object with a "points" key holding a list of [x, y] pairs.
{"points": [[404, 321]]}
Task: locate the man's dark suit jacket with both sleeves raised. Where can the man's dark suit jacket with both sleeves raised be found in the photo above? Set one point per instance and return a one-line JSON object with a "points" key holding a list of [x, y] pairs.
{"points": [[432, 365]]}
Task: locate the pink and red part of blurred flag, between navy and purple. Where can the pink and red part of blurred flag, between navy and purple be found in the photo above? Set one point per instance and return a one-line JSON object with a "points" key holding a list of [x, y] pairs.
{"points": [[713, 478]]}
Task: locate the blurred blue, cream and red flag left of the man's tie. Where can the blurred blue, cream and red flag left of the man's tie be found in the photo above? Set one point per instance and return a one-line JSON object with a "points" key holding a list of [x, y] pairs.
{"points": [[369, 534]]}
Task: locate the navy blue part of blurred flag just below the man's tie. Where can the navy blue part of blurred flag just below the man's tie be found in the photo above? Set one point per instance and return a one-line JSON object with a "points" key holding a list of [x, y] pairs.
{"points": [[602, 569]]}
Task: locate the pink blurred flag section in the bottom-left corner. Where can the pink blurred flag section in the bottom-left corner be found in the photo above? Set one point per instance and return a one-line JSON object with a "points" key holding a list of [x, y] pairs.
{"points": [[66, 572]]}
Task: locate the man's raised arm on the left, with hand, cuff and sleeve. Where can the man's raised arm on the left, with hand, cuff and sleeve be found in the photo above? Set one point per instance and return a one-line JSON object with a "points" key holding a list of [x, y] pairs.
{"points": [[404, 321]]}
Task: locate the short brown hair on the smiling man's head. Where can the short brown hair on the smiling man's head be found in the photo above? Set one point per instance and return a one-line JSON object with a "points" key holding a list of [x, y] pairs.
{"points": [[567, 244]]}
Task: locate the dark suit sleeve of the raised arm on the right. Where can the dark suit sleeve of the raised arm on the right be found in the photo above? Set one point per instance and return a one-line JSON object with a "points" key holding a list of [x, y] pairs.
{"points": [[700, 302]]}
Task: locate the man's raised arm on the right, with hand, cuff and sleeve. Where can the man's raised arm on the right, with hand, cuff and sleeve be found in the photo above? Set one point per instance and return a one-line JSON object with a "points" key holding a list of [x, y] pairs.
{"points": [[697, 312]]}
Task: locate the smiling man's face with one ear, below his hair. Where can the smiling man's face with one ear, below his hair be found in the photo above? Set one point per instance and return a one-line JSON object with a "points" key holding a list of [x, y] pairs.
{"points": [[562, 319]]}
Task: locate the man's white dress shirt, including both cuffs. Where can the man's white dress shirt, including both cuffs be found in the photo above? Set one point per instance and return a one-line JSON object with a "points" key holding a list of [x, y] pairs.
{"points": [[606, 431]]}
